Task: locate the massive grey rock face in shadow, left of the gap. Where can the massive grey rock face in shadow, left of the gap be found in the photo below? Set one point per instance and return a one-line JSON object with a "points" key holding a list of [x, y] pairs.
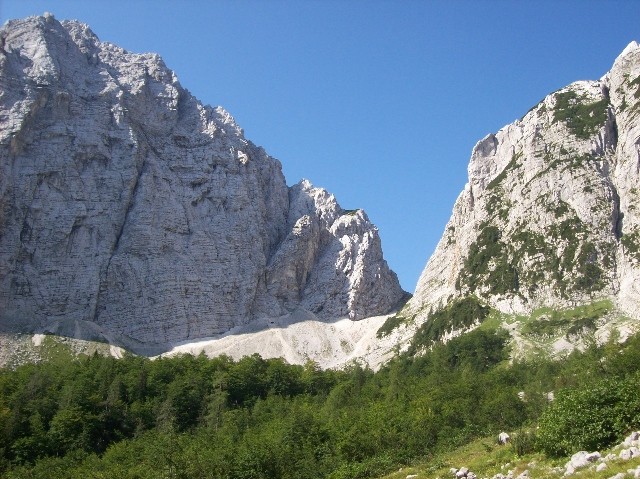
{"points": [[126, 203]]}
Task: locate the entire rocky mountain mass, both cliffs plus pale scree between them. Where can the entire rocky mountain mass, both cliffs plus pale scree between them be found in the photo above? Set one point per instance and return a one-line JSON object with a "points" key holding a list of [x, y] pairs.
{"points": [[132, 214]]}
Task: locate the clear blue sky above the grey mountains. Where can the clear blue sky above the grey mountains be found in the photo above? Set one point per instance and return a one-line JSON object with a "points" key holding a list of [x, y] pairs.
{"points": [[380, 102]]}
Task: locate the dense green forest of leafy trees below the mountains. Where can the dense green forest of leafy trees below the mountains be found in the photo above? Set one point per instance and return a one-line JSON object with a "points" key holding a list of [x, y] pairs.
{"points": [[195, 417]]}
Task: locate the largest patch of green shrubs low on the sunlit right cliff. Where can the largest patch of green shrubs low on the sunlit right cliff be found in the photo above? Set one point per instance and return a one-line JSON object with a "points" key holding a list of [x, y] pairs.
{"points": [[563, 257]]}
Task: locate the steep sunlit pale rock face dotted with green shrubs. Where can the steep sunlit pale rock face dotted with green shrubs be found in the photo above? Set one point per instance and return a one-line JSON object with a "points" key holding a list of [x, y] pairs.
{"points": [[549, 214]]}
